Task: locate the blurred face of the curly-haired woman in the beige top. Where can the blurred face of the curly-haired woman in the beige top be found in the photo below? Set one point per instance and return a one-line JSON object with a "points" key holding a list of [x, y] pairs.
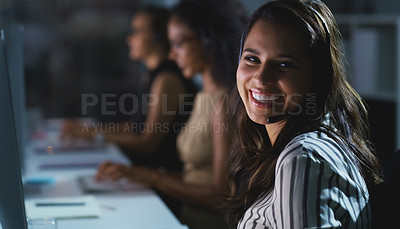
{"points": [[186, 48]]}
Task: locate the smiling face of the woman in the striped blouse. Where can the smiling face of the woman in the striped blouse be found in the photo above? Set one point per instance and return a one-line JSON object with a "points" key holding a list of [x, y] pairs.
{"points": [[274, 73]]}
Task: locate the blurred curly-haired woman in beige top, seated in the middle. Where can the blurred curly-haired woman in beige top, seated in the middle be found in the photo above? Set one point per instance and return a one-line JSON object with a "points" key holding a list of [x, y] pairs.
{"points": [[204, 37]]}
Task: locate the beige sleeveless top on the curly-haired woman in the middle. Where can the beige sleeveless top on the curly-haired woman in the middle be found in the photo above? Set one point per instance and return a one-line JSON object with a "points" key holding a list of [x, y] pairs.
{"points": [[194, 142]]}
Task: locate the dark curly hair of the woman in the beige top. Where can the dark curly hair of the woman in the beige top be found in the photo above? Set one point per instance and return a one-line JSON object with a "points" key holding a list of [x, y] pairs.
{"points": [[218, 24]]}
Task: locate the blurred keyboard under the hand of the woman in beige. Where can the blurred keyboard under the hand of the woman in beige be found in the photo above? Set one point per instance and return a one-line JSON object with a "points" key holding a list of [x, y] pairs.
{"points": [[89, 185]]}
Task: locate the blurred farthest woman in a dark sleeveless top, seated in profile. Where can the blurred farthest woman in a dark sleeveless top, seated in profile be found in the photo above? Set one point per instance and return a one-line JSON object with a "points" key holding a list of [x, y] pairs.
{"points": [[150, 138]]}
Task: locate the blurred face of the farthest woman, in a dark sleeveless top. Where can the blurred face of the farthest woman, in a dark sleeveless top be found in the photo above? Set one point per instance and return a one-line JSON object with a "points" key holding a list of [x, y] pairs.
{"points": [[141, 39]]}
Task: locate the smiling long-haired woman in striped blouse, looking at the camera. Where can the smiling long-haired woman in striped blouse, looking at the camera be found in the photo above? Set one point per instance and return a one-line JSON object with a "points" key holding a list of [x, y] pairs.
{"points": [[302, 157]]}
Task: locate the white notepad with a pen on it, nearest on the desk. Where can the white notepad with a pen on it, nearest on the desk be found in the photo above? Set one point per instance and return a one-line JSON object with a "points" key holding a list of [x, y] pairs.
{"points": [[63, 207]]}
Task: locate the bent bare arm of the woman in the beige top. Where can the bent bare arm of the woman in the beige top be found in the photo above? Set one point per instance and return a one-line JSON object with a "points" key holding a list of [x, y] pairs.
{"points": [[173, 185]]}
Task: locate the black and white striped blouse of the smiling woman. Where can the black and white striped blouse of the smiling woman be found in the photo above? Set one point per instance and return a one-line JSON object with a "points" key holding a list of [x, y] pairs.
{"points": [[316, 186]]}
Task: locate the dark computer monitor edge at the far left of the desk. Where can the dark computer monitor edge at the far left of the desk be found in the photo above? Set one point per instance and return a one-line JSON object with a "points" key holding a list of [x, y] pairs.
{"points": [[12, 206]]}
